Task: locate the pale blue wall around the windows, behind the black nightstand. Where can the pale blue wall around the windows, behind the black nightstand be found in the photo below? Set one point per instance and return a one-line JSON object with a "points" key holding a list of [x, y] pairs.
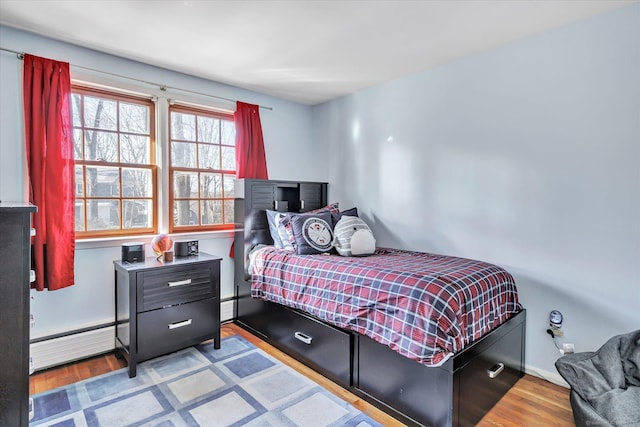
{"points": [[287, 133]]}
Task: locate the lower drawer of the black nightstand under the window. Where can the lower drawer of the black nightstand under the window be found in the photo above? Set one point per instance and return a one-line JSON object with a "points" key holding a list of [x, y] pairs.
{"points": [[168, 329]]}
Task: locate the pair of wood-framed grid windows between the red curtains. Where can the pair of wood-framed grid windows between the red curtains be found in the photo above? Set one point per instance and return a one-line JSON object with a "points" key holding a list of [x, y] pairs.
{"points": [[118, 182]]}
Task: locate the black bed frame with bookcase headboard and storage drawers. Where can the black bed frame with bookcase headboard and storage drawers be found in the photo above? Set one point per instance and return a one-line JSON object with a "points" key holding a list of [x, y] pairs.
{"points": [[458, 393]]}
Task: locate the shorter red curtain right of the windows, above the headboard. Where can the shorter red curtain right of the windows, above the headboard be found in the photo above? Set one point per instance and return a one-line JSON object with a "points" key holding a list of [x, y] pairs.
{"points": [[251, 161]]}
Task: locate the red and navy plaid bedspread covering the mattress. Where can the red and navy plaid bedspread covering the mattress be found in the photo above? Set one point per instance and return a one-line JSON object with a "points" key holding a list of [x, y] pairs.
{"points": [[424, 306]]}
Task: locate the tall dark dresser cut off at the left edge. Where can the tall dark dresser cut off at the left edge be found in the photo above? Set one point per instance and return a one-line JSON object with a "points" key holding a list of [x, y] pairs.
{"points": [[15, 264]]}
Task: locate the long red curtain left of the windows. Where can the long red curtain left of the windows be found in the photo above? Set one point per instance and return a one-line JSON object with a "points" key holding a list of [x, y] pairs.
{"points": [[50, 165]]}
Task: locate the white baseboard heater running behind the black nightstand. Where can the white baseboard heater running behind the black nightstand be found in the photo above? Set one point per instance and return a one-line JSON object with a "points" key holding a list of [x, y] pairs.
{"points": [[71, 346]]}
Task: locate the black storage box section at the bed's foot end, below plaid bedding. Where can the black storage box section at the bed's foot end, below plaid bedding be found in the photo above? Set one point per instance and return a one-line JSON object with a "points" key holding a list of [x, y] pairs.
{"points": [[459, 392]]}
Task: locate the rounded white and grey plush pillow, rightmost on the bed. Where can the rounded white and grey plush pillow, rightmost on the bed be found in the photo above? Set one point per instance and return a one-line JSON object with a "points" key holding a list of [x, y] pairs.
{"points": [[353, 237]]}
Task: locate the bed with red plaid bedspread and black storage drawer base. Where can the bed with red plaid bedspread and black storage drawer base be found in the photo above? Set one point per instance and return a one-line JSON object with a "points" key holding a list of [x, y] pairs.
{"points": [[429, 348]]}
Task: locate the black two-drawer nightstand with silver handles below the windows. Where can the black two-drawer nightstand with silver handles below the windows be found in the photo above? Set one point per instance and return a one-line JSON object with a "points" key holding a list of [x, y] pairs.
{"points": [[163, 307]]}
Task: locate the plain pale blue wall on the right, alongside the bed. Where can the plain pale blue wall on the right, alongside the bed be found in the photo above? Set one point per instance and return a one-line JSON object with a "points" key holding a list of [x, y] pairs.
{"points": [[526, 156]]}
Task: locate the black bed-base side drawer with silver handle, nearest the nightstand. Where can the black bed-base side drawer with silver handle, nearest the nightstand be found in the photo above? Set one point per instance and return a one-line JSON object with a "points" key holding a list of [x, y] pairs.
{"points": [[325, 348]]}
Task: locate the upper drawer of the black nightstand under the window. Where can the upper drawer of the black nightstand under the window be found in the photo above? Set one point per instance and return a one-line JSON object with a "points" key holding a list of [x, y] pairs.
{"points": [[177, 285]]}
